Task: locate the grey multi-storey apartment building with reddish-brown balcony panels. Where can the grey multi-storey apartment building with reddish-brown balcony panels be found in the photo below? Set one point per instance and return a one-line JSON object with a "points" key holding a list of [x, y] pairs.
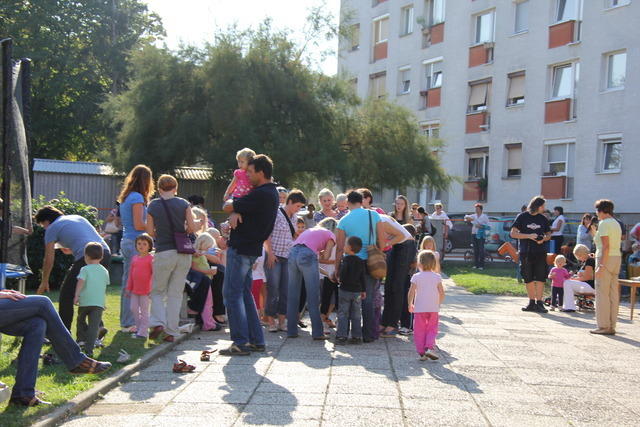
{"points": [[529, 96]]}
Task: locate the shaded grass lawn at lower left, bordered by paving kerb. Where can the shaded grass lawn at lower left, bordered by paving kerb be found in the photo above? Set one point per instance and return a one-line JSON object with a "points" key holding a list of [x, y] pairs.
{"points": [[55, 381]]}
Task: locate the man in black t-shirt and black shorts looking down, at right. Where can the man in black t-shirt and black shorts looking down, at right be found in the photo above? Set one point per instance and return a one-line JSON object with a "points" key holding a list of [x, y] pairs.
{"points": [[532, 230]]}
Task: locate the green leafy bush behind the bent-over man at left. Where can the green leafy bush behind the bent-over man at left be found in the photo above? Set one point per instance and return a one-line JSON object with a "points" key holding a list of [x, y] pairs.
{"points": [[35, 242]]}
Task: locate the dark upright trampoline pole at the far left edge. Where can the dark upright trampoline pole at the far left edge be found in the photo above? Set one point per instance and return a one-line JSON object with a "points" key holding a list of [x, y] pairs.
{"points": [[7, 87]]}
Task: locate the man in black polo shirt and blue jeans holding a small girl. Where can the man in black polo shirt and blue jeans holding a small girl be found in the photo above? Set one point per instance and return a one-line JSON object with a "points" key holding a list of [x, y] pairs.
{"points": [[252, 219]]}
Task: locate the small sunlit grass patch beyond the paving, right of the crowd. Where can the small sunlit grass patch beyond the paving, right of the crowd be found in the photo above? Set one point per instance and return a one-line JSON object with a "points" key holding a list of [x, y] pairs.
{"points": [[496, 278]]}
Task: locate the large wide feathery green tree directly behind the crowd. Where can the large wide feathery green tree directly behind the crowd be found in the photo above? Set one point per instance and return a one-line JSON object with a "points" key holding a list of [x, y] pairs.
{"points": [[253, 89]]}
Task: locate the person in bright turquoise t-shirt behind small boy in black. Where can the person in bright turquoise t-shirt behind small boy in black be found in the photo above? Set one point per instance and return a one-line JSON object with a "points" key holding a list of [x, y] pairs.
{"points": [[365, 224]]}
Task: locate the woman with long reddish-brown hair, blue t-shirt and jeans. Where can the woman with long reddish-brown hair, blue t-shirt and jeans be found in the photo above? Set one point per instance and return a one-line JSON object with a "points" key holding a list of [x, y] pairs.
{"points": [[134, 197]]}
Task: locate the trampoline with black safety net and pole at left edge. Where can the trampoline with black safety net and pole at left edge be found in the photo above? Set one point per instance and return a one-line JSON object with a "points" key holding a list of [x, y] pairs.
{"points": [[16, 183]]}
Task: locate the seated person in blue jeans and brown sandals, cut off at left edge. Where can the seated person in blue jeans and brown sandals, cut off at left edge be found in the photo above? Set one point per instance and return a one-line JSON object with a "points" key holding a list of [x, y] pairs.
{"points": [[33, 317]]}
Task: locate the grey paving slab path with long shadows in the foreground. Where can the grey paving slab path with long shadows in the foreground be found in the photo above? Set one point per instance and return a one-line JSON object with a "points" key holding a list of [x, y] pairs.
{"points": [[499, 366]]}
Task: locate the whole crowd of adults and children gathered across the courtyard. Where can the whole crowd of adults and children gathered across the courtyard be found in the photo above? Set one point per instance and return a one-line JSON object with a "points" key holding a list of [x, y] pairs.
{"points": [[259, 271]]}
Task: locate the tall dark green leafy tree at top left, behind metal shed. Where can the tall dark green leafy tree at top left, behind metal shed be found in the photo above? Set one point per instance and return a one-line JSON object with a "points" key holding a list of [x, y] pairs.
{"points": [[80, 53]]}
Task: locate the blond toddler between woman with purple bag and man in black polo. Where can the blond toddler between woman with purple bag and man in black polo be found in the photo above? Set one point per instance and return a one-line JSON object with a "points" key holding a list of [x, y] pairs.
{"points": [[202, 299]]}
